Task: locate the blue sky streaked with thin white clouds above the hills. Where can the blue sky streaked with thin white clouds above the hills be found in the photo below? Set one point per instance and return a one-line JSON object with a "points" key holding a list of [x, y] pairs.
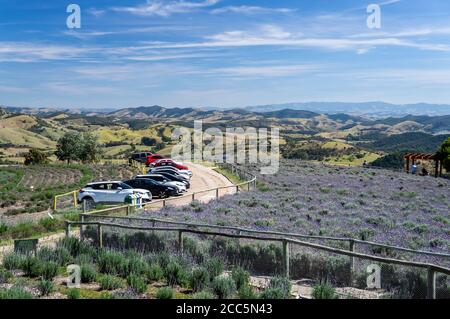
{"points": [[222, 53]]}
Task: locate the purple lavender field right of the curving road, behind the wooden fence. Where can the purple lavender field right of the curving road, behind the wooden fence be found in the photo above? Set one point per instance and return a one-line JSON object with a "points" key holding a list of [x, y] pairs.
{"points": [[307, 198]]}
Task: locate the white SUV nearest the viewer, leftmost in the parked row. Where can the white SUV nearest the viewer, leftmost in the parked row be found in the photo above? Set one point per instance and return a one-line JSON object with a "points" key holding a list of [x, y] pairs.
{"points": [[110, 192]]}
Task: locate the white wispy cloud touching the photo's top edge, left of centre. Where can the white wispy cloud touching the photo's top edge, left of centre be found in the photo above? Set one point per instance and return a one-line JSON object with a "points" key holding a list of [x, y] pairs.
{"points": [[165, 9]]}
